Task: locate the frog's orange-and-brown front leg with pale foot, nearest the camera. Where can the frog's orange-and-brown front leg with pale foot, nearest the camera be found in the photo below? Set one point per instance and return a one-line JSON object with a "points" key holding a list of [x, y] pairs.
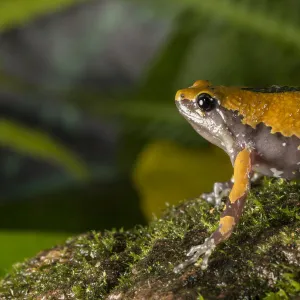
{"points": [[231, 214]]}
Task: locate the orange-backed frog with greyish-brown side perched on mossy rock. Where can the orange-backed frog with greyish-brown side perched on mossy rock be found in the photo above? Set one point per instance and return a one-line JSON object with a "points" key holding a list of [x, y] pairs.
{"points": [[259, 129]]}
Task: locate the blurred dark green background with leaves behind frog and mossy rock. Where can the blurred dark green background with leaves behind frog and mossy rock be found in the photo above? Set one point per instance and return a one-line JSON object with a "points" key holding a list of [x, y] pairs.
{"points": [[90, 138]]}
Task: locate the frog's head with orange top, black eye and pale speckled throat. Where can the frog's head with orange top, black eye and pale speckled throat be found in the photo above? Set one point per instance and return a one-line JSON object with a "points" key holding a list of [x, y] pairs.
{"points": [[201, 105]]}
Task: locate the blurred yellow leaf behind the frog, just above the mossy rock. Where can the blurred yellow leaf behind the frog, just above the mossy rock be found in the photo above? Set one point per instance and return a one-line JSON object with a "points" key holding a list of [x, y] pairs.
{"points": [[167, 173]]}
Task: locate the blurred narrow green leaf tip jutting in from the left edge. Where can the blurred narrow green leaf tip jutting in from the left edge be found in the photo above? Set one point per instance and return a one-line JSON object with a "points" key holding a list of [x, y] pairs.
{"points": [[41, 145]]}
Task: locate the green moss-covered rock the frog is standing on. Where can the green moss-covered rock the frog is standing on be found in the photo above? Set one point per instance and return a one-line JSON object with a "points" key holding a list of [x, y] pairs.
{"points": [[261, 259]]}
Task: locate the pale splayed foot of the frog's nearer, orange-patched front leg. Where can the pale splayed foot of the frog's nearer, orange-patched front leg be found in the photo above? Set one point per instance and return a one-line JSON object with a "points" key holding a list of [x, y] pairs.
{"points": [[195, 252]]}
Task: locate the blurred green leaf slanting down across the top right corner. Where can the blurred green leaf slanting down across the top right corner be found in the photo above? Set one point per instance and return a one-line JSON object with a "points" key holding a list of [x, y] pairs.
{"points": [[262, 17]]}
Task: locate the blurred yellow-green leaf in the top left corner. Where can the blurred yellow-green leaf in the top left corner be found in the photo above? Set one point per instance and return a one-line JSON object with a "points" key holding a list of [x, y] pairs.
{"points": [[16, 12]]}
